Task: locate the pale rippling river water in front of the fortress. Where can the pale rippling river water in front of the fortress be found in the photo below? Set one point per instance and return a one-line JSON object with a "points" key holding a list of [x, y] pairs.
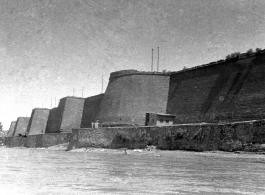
{"points": [[105, 171]]}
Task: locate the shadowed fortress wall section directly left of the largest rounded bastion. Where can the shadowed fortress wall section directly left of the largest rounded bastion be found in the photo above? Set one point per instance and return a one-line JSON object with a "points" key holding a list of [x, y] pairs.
{"points": [[91, 107]]}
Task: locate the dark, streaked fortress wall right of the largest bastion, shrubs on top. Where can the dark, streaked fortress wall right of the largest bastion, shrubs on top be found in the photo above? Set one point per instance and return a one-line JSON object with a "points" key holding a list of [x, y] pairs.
{"points": [[229, 91]]}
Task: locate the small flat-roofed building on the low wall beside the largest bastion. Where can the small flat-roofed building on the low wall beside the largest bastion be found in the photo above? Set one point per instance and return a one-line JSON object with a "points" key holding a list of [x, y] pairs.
{"points": [[159, 119]]}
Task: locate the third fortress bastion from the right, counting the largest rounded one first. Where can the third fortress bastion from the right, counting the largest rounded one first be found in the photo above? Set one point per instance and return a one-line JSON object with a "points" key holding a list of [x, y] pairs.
{"points": [[38, 121]]}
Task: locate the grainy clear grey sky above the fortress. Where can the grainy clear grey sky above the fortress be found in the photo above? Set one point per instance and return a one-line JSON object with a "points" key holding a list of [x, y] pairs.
{"points": [[50, 49]]}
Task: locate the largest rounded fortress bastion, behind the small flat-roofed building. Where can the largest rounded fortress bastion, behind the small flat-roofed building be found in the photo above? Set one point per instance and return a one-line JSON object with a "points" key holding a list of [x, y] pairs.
{"points": [[130, 96]]}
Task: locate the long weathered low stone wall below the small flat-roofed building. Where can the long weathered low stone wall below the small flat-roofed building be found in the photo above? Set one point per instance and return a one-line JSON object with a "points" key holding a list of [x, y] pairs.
{"points": [[195, 137]]}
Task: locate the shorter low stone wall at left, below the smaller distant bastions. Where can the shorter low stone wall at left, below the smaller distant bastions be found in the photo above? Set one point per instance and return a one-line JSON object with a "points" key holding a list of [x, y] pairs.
{"points": [[38, 141]]}
